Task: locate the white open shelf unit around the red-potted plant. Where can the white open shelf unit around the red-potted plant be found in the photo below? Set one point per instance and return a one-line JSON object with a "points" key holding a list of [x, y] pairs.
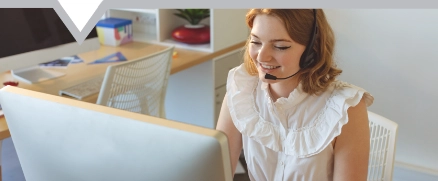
{"points": [[156, 25]]}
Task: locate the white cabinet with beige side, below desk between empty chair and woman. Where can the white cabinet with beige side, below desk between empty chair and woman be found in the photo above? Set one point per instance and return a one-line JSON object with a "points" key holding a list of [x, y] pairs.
{"points": [[195, 95]]}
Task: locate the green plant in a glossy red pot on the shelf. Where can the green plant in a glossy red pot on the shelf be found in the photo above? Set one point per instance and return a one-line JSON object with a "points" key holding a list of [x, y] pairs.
{"points": [[193, 32]]}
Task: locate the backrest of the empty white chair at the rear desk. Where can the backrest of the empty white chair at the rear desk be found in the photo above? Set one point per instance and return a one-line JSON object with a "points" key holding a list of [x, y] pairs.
{"points": [[138, 85]]}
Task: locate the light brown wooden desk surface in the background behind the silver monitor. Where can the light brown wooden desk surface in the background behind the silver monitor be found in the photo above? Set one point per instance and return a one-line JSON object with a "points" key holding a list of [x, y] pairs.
{"points": [[77, 73]]}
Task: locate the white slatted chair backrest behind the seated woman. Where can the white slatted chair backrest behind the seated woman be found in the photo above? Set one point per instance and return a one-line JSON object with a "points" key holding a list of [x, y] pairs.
{"points": [[383, 134]]}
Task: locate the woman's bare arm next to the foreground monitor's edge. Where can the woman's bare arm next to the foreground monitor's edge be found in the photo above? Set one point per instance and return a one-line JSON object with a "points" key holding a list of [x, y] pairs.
{"points": [[226, 125]]}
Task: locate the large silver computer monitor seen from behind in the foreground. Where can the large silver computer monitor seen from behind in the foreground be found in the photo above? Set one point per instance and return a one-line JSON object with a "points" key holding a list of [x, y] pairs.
{"points": [[64, 139]]}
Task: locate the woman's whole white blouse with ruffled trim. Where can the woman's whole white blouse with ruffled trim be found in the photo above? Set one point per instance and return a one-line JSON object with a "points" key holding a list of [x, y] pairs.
{"points": [[289, 139]]}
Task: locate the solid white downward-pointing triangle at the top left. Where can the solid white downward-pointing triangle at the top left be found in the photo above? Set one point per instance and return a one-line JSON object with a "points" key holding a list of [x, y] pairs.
{"points": [[80, 11]]}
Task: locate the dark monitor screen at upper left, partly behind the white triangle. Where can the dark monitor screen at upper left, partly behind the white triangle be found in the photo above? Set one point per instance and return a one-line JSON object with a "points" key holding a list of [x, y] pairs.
{"points": [[32, 29]]}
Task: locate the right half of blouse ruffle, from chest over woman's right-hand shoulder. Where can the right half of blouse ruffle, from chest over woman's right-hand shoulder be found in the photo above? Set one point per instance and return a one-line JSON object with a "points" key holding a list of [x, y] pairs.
{"points": [[314, 138]]}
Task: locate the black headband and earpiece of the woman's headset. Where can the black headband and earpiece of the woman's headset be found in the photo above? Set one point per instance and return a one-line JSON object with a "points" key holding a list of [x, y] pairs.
{"points": [[309, 55]]}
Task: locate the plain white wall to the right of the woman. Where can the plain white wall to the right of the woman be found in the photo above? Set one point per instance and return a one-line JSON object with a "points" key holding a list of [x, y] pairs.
{"points": [[393, 54]]}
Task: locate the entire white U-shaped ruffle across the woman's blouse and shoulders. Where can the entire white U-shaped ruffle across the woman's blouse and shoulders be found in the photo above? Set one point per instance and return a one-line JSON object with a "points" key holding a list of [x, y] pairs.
{"points": [[309, 140]]}
